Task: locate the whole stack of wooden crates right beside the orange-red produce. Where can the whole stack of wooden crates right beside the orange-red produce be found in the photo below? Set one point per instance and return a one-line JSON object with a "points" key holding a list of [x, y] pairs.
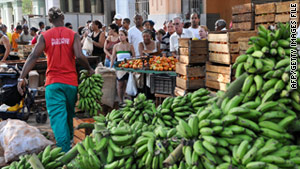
{"points": [[191, 66]]}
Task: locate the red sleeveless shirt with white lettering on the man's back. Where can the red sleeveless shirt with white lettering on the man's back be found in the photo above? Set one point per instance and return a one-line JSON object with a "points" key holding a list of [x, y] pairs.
{"points": [[60, 56]]}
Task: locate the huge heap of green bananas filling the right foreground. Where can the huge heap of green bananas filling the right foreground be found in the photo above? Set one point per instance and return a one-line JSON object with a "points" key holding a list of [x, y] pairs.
{"points": [[252, 125]]}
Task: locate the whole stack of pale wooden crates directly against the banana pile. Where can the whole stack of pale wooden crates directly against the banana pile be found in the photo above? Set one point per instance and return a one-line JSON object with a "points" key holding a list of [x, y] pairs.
{"points": [[223, 50]]}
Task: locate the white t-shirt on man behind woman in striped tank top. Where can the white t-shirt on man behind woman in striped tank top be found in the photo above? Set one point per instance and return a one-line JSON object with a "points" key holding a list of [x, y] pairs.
{"points": [[135, 36]]}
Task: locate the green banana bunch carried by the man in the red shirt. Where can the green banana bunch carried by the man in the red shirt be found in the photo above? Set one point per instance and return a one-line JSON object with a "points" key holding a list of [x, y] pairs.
{"points": [[90, 93]]}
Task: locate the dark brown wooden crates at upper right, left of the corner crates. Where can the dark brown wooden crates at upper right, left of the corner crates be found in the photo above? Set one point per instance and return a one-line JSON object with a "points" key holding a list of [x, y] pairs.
{"points": [[243, 17]]}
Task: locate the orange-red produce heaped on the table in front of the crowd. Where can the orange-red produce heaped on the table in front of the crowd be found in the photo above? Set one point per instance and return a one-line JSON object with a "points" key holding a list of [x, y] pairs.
{"points": [[156, 63]]}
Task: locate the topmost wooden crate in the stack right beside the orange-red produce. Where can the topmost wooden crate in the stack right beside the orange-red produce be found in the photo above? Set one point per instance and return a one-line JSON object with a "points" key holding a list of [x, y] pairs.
{"points": [[192, 51]]}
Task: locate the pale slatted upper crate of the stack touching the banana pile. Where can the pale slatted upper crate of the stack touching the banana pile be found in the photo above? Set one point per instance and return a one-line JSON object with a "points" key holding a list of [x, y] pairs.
{"points": [[223, 47]]}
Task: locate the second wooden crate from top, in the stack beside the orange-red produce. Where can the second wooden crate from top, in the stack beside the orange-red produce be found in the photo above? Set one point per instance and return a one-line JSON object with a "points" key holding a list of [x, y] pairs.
{"points": [[190, 71]]}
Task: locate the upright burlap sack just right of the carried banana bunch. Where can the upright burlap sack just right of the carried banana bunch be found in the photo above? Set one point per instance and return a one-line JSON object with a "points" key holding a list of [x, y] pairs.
{"points": [[109, 85]]}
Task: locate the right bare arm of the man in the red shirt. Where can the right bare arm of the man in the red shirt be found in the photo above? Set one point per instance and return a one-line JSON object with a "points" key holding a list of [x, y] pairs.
{"points": [[79, 55]]}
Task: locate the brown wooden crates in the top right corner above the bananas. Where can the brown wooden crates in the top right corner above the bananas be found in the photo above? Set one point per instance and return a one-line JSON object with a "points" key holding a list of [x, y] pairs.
{"points": [[271, 13]]}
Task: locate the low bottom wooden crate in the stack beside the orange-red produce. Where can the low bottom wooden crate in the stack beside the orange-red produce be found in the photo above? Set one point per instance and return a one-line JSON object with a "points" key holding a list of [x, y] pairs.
{"points": [[189, 84]]}
